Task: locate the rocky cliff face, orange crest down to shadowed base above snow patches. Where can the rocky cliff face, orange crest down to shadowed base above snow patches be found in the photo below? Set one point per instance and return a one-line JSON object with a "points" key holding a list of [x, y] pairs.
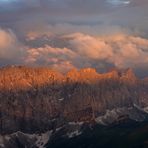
{"points": [[40, 99]]}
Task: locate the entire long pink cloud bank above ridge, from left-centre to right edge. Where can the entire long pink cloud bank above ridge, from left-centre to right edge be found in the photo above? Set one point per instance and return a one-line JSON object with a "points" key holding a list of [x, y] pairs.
{"points": [[83, 50]]}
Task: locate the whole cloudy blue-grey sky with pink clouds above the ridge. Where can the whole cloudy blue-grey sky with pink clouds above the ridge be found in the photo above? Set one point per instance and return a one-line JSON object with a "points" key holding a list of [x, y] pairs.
{"points": [[66, 34]]}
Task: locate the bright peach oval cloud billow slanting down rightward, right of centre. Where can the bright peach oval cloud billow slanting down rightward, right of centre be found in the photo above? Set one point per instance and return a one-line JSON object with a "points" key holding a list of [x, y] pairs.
{"points": [[90, 47]]}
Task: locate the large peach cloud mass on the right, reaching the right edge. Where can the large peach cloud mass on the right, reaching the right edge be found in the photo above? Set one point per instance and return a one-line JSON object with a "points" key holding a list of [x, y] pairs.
{"points": [[120, 50]]}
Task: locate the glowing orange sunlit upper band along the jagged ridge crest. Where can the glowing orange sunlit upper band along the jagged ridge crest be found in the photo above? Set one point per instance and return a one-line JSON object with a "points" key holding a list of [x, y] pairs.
{"points": [[26, 77]]}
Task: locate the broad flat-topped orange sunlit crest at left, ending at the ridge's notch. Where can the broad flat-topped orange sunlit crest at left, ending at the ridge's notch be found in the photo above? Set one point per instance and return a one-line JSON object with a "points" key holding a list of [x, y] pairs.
{"points": [[22, 77]]}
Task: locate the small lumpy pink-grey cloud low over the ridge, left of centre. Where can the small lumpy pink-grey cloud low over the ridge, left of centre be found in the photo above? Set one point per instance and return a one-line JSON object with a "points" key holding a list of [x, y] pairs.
{"points": [[57, 58]]}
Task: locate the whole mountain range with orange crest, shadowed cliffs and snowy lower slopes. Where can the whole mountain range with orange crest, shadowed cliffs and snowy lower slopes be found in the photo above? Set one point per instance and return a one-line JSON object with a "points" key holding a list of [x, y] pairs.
{"points": [[39, 104]]}
